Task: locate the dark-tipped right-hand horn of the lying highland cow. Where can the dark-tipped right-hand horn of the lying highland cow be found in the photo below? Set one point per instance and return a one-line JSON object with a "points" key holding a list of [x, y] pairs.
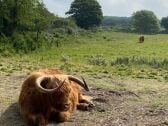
{"points": [[78, 81]]}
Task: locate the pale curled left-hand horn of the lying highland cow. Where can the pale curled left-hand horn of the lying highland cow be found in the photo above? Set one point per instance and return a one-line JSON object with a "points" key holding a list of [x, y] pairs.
{"points": [[48, 80]]}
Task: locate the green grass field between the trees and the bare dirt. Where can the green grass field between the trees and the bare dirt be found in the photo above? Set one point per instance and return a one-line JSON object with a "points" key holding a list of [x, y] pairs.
{"points": [[114, 53]]}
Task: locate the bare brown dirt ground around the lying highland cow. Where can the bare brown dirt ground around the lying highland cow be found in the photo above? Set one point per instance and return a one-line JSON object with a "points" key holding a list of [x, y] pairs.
{"points": [[113, 108]]}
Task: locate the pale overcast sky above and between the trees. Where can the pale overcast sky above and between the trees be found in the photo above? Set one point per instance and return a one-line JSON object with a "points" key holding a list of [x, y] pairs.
{"points": [[114, 7]]}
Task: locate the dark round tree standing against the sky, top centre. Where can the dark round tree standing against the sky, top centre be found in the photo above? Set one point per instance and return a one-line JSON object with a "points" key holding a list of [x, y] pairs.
{"points": [[87, 13]]}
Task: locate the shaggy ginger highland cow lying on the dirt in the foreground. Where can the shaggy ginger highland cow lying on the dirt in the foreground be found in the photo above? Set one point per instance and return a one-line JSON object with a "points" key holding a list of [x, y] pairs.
{"points": [[49, 93]]}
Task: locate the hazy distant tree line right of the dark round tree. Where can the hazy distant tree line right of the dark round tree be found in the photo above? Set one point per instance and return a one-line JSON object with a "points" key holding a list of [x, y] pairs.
{"points": [[142, 21]]}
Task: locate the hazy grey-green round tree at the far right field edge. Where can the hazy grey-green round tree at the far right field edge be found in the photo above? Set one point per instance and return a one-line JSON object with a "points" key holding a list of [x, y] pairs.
{"points": [[145, 21]]}
